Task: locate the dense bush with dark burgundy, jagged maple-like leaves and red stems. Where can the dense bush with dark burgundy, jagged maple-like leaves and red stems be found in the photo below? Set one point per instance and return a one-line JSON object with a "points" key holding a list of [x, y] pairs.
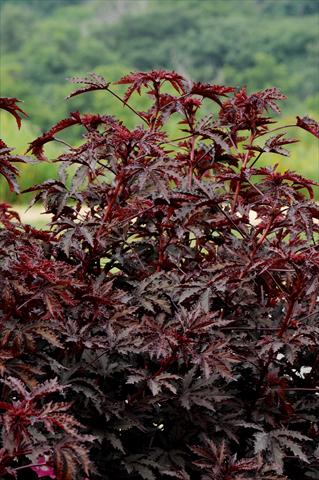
{"points": [[166, 324]]}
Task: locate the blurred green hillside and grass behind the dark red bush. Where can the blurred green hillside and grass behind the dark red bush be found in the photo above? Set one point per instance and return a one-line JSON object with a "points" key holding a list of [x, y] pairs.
{"points": [[258, 43]]}
